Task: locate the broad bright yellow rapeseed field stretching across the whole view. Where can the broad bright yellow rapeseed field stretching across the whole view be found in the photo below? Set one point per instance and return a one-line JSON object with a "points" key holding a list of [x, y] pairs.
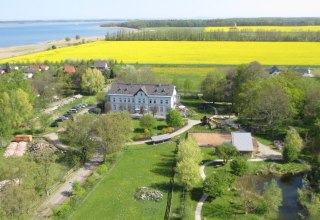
{"points": [[185, 52]]}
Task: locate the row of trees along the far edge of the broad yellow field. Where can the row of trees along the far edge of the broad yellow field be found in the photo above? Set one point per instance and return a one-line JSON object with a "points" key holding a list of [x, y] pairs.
{"points": [[218, 35]]}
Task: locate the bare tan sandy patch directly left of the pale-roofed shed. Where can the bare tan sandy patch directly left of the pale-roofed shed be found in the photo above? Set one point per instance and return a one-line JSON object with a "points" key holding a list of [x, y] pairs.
{"points": [[211, 139]]}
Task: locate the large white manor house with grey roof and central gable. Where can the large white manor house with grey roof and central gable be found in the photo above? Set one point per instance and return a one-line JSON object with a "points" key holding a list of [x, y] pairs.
{"points": [[136, 98]]}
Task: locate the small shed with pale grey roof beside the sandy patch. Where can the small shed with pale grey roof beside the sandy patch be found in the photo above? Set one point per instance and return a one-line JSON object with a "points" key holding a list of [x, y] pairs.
{"points": [[242, 141]]}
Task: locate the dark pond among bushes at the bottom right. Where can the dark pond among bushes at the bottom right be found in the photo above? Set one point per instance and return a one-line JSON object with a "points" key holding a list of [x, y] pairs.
{"points": [[289, 186]]}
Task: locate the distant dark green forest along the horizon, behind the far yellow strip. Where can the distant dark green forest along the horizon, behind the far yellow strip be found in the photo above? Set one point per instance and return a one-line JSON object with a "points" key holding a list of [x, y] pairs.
{"points": [[218, 22]]}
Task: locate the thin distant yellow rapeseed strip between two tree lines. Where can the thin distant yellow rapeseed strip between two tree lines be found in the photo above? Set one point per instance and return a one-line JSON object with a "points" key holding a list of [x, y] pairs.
{"points": [[265, 28]]}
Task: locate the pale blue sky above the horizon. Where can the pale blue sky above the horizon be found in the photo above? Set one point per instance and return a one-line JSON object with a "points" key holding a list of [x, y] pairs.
{"points": [[159, 9]]}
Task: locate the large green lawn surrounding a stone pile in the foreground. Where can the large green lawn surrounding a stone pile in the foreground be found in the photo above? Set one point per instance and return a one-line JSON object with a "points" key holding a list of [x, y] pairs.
{"points": [[113, 197]]}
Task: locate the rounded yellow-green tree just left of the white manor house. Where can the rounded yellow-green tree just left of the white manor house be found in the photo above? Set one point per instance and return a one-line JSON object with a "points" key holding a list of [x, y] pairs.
{"points": [[92, 81]]}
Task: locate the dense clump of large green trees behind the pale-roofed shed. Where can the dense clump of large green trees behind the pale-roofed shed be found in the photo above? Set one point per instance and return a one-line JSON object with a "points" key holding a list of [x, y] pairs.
{"points": [[266, 102]]}
